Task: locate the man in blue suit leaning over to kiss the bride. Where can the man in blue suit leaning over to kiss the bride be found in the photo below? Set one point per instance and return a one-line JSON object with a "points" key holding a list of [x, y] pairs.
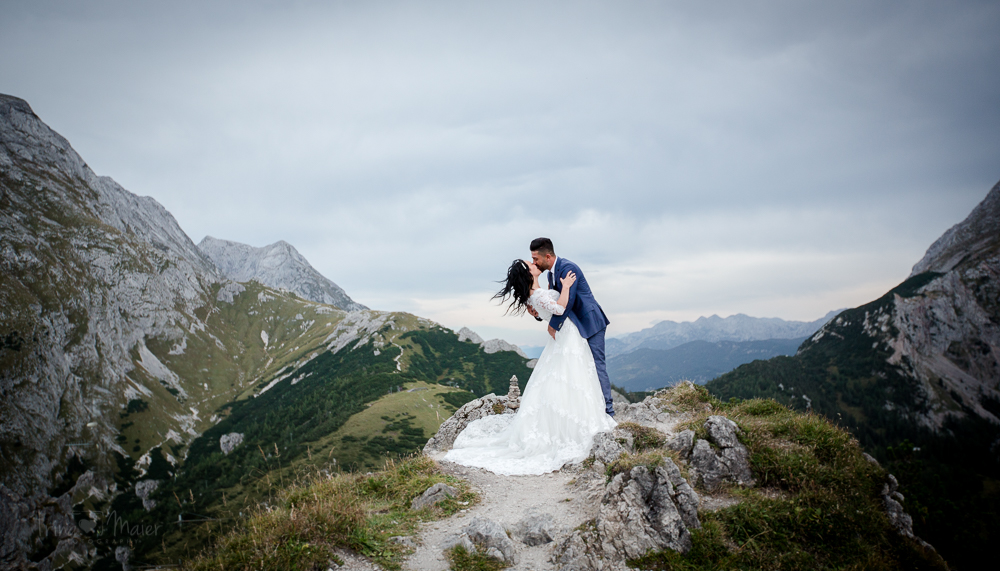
{"points": [[582, 309]]}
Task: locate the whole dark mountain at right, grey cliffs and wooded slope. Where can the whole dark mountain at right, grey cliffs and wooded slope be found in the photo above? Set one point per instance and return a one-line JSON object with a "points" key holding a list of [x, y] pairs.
{"points": [[915, 375]]}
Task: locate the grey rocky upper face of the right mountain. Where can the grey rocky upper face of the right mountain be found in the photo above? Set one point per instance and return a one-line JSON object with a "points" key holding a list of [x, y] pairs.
{"points": [[941, 328]]}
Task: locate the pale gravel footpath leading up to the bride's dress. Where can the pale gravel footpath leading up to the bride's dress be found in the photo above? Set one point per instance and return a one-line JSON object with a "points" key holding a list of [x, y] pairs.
{"points": [[571, 496]]}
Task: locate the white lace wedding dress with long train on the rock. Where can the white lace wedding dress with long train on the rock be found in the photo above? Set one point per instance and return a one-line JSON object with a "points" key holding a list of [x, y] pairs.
{"points": [[561, 410]]}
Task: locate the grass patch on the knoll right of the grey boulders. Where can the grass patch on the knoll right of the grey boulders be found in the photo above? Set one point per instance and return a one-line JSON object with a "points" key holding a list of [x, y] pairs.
{"points": [[828, 514]]}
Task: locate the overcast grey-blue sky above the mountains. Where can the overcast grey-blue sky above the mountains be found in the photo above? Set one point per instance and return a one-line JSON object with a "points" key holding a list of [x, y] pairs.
{"points": [[779, 159]]}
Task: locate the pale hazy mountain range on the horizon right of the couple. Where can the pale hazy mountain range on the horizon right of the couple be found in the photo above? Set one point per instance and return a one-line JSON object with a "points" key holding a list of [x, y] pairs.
{"points": [[669, 334]]}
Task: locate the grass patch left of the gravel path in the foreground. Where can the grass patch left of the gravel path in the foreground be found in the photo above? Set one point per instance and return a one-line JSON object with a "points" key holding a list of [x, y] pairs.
{"points": [[353, 511]]}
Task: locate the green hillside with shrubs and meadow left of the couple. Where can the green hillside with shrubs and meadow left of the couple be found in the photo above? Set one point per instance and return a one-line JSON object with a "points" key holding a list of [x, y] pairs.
{"points": [[314, 411]]}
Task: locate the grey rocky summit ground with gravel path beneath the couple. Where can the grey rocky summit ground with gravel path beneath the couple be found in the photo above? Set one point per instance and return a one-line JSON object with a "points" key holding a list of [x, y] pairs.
{"points": [[644, 491]]}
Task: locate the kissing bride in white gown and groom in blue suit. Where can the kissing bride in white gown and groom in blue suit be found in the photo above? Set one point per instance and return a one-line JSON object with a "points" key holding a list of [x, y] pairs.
{"points": [[567, 400]]}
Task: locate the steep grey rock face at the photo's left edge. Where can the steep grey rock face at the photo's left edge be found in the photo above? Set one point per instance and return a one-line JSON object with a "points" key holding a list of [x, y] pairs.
{"points": [[90, 272]]}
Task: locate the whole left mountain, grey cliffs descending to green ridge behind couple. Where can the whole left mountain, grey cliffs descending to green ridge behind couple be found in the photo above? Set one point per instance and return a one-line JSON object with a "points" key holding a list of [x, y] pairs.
{"points": [[122, 345]]}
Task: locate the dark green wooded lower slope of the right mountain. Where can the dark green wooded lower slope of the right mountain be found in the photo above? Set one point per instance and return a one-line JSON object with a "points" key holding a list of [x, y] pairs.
{"points": [[951, 478]]}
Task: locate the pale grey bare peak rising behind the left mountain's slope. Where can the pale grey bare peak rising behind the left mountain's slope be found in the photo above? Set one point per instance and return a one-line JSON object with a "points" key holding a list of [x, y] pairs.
{"points": [[280, 266]]}
